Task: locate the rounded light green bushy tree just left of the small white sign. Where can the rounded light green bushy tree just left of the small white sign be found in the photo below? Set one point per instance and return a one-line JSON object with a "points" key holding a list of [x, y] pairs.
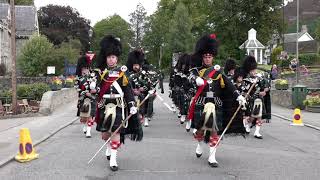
{"points": [[35, 56]]}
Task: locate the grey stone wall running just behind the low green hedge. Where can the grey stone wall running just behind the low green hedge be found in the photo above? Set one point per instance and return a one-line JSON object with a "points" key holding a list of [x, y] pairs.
{"points": [[5, 81]]}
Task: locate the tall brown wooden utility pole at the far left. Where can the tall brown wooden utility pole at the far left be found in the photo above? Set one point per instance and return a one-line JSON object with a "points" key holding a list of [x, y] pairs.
{"points": [[13, 57]]}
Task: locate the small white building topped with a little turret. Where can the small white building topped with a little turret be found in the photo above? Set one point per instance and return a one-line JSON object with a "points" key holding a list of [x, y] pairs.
{"points": [[253, 47]]}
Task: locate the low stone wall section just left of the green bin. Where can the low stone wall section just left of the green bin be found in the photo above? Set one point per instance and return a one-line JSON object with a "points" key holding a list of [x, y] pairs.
{"points": [[282, 97]]}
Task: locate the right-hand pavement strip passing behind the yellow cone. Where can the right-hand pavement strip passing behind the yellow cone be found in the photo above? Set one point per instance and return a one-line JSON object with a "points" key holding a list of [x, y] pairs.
{"points": [[311, 120]]}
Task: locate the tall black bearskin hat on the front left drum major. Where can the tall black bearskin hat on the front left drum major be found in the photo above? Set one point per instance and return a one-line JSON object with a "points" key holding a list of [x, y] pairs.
{"points": [[109, 45]]}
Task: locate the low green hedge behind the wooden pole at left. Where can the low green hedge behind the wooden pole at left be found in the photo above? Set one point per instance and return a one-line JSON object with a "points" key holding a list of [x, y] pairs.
{"points": [[33, 91]]}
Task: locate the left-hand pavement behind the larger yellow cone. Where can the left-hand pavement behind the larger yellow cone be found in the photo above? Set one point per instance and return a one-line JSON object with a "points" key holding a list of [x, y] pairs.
{"points": [[41, 128]]}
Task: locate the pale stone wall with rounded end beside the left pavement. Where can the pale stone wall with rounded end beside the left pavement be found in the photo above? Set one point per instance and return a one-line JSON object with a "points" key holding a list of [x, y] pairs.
{"points": [[51, 100]]}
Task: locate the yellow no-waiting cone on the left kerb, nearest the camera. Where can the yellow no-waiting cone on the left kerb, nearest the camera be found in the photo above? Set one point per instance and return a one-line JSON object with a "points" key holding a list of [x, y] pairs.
{"points": [[26, 151]]}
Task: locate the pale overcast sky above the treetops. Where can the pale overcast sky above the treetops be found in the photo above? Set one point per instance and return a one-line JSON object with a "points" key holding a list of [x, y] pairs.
{"points": [[95, 10]]}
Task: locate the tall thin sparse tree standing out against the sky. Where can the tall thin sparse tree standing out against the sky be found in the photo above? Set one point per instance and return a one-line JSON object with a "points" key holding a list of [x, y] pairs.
{"points": [[137, 20]]}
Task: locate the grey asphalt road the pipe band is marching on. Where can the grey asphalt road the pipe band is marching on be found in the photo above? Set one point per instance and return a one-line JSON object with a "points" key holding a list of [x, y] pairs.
{"points": [[168, 152]]}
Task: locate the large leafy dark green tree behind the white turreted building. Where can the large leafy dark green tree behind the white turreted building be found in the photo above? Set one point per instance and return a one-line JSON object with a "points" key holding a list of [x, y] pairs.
{"points": [[232, 19]]}
